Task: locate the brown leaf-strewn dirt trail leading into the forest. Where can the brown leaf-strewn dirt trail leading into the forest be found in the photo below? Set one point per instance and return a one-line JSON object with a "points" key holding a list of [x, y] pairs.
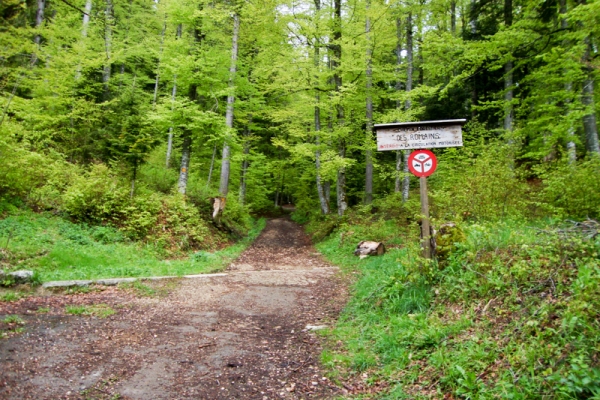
{"points": [[242, 336]]}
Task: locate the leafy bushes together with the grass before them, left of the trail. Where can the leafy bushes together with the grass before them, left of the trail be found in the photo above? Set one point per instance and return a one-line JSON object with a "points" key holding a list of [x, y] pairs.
{"points": [[67, 221]]}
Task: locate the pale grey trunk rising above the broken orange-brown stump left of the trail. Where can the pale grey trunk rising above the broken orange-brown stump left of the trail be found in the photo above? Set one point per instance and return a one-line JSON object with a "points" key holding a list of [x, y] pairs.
{"points": [[225, 167]]}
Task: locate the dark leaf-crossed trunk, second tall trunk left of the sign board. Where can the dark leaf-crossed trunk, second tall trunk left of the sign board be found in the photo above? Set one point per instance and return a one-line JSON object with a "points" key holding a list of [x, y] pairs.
{"points": [[337, 78]]}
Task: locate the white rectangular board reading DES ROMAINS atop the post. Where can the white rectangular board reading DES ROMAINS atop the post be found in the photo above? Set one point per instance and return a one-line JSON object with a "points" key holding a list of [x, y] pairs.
{"points": [[421, 135]]}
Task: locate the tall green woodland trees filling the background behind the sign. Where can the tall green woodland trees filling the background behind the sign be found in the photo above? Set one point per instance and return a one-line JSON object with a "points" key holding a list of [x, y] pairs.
{"points": [[137, 113]]}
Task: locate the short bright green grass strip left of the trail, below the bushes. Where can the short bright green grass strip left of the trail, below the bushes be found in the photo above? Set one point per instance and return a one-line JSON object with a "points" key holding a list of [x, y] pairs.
{"points": [[57, 249]]}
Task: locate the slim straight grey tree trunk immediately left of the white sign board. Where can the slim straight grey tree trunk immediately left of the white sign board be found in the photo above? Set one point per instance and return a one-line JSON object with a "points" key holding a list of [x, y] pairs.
{"points": [[369, 111]]}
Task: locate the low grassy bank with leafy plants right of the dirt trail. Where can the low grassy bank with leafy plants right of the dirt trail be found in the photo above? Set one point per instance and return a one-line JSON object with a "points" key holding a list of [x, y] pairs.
{"points": [[512, 313]]}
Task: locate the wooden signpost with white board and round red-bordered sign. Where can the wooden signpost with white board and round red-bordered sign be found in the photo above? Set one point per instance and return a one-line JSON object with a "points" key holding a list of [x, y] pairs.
{"points": [[422, 163]]}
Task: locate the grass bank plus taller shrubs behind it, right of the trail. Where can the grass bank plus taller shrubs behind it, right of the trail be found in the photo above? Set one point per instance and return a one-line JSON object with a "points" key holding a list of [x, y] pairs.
{"points": [[511, 311]]}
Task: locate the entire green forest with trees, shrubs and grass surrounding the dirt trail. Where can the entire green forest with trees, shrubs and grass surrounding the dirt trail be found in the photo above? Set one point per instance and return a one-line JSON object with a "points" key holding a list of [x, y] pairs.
{"points": [[170, 126]]}
